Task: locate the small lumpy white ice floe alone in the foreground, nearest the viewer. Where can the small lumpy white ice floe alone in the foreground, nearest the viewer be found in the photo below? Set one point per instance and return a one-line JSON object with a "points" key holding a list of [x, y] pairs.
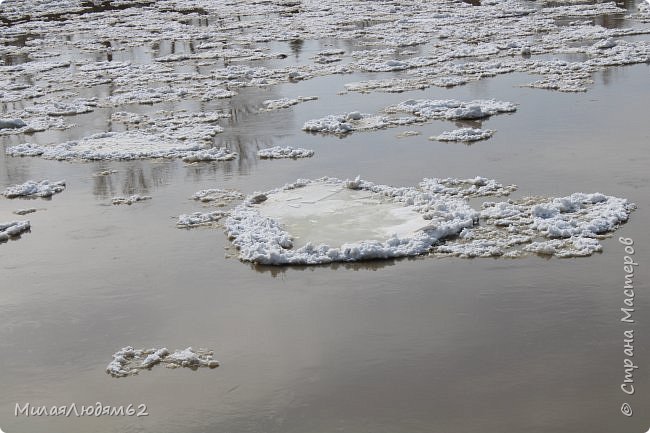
{"points": [[129, 361]]}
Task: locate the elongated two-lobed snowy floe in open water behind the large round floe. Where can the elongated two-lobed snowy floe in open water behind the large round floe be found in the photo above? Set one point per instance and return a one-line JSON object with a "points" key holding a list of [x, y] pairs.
{"points": [[420, 110]]}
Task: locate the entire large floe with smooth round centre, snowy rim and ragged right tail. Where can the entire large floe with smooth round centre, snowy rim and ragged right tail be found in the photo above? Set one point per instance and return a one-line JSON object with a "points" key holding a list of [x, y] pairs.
{"points": [[329, 220]]}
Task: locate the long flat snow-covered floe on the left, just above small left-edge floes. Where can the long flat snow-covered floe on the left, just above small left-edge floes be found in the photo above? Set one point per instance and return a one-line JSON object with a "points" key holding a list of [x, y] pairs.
{"points": [[123, 146]]}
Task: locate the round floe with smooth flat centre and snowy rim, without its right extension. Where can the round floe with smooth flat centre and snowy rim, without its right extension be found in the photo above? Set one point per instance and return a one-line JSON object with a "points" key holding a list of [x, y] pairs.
{"points": [[329, 220]]}
